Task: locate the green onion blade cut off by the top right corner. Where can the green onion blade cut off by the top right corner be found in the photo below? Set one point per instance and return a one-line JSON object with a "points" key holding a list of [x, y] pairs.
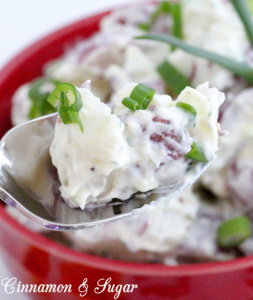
{"points": [[243, 11]]}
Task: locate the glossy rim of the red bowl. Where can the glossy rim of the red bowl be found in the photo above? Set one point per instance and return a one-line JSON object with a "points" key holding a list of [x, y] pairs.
{"points": [[85, 259]]}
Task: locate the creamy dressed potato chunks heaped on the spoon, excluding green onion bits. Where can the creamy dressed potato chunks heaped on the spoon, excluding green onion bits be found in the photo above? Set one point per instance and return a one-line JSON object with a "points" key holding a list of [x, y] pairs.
{"points": [[124, 152]]}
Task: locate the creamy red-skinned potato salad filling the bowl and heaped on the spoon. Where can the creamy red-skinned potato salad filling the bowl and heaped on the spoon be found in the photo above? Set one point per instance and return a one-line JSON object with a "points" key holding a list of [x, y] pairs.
{"points": [[148, 91]]}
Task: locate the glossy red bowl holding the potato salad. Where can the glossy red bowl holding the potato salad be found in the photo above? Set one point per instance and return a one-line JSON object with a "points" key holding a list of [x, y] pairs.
{"points": [[36, 259]]}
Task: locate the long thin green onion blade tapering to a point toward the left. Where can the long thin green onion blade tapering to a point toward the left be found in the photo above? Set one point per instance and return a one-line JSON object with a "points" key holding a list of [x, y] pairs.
{"points": [[240, 69]]}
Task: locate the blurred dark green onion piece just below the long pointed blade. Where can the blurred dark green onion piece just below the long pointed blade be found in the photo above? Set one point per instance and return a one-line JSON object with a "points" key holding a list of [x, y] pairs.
{"points": [[175, 80]]}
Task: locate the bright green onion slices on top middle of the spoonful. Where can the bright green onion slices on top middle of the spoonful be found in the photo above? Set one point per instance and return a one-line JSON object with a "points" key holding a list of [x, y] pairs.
{"points": [[139, 98]]}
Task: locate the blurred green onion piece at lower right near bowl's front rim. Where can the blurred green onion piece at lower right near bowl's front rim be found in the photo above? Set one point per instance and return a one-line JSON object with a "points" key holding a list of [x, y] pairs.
{"points": [[233, 232]]}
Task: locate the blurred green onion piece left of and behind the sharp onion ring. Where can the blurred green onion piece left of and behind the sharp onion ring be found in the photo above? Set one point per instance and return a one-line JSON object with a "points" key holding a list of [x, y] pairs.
{"points": [[40, 106]]}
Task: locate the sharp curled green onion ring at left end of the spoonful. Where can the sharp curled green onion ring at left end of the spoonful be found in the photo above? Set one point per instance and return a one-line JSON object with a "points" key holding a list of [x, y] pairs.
{"points": [[70, 103]]}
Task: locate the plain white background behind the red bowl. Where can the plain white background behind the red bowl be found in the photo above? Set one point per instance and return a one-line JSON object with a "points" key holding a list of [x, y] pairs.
{"points": [[23, 22]]}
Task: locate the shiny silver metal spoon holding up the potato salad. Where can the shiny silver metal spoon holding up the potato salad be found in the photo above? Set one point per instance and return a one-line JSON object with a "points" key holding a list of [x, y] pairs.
{"points": [[26, 184]]}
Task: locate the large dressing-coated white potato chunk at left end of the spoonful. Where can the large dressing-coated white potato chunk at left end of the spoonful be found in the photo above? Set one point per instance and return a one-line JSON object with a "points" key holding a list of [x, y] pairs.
{"points": [[85, 159]]}
